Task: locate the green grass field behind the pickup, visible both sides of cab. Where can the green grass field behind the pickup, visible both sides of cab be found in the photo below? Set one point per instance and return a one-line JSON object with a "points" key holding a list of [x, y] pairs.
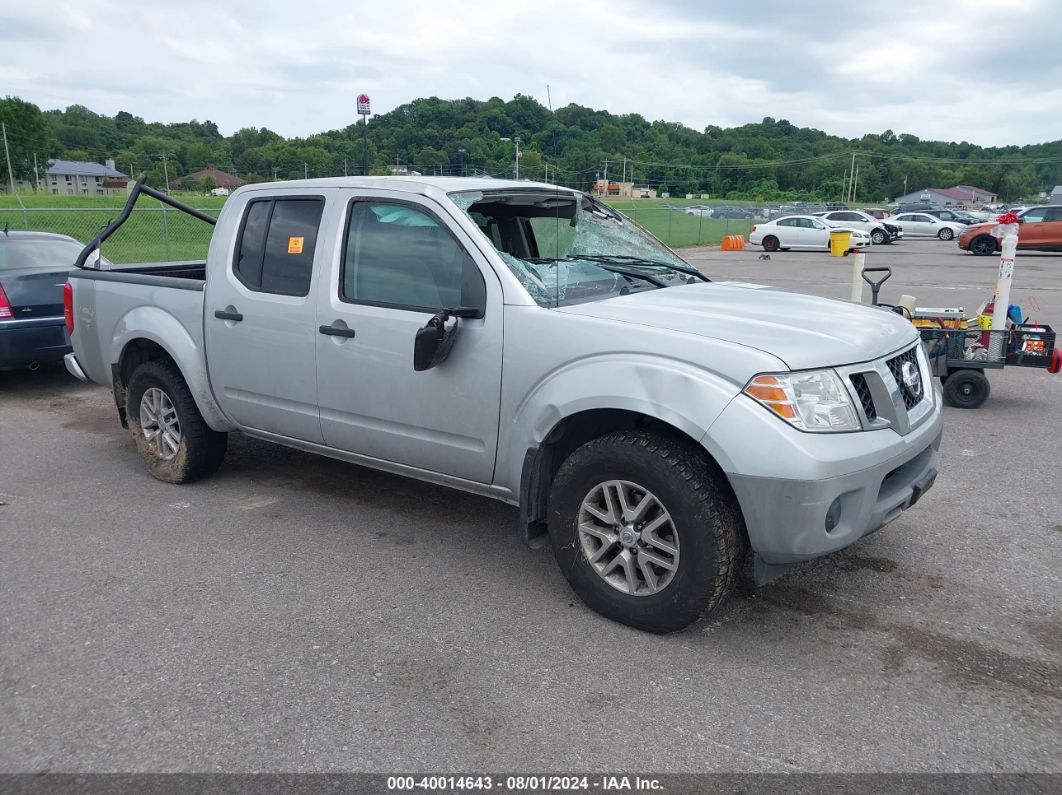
{"points": [[152, 235]]}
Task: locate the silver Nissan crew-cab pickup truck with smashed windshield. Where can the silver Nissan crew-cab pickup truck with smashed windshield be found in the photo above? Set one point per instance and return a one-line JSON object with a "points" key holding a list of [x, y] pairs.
{"points": [[524, 342]]}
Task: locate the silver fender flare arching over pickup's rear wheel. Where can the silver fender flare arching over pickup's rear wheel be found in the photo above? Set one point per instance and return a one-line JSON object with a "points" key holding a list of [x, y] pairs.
{"points": [[161, 327]]}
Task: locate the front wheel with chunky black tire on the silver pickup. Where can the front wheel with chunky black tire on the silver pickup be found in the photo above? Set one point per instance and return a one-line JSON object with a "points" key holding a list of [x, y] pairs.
{"points": [[701, 525]]}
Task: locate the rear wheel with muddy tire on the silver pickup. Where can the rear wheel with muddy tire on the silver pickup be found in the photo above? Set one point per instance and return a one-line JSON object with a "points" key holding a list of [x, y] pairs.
{"points": [[157, 389]]}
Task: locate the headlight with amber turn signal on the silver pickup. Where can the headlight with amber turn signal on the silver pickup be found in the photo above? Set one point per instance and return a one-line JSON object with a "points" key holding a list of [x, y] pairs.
{"points": [[813, 401]]}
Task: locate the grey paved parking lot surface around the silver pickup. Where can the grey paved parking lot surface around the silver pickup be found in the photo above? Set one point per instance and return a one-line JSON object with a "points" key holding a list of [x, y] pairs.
{"points": [[297, 614]]}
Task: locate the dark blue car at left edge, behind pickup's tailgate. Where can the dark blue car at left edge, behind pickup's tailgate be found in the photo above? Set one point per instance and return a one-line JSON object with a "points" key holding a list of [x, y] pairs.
{"points": [[33, 269]]}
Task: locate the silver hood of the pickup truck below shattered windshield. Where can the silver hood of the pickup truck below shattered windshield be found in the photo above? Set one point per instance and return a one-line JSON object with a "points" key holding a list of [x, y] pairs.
{"points": [[804, 332]]}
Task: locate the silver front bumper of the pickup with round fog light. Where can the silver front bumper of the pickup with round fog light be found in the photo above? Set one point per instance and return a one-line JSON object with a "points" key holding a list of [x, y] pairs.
{"points": [[785, 490]]}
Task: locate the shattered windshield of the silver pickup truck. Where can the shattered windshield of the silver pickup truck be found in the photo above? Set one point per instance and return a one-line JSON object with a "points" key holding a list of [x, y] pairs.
{"points": [[569, 249]]}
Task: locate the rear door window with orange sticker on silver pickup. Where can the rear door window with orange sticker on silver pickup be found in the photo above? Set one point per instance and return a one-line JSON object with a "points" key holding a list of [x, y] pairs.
{"points": [[278, 240]]}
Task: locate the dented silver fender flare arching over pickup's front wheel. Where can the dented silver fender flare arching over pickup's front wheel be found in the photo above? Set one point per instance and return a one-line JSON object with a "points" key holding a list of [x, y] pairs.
{"points": [[670, 390]]}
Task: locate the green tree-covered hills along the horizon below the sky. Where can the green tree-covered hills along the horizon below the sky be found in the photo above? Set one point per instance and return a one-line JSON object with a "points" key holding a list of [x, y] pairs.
{"points": [[769, 161]]}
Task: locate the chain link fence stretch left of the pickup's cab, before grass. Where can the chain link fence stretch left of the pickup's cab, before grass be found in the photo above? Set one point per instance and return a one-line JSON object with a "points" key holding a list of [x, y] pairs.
{"points": [[150, 235]]}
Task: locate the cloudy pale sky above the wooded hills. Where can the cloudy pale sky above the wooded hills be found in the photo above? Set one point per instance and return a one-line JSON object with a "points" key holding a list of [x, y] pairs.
{"points": [[987, 73]]}
